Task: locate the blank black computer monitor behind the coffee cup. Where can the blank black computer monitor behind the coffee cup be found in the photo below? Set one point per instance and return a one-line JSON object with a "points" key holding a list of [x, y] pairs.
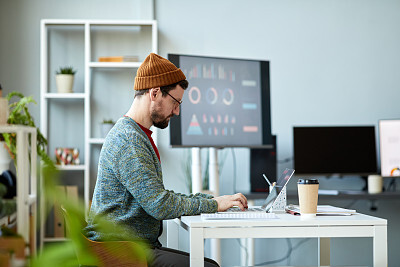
{"points": [[335, 150]]}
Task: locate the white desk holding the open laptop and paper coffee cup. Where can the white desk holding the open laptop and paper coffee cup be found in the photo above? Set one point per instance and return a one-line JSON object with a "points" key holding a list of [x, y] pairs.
{"points": [[287, 226]]}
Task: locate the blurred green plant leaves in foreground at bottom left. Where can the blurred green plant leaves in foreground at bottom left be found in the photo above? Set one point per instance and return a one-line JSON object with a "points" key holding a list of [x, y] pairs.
{"points": [[65, 253]]}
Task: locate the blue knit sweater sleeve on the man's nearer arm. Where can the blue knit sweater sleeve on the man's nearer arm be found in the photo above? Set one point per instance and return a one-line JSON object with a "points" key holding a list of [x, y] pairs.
{"points": [[137, 172]]}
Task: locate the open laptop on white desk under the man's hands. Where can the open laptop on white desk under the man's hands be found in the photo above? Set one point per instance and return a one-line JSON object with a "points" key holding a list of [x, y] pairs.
{"points": [[272, 196]]}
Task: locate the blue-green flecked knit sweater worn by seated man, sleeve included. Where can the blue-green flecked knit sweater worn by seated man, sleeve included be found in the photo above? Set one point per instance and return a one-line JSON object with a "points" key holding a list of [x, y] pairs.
{"points": [[130, 190]]}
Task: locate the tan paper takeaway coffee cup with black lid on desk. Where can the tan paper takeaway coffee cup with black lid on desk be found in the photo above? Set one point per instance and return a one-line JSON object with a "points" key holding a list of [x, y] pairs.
{"points": [[308, 196]]}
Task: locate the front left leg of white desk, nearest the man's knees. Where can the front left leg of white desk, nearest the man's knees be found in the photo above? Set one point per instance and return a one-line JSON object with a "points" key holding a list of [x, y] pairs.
{"points": [[196, 247]]}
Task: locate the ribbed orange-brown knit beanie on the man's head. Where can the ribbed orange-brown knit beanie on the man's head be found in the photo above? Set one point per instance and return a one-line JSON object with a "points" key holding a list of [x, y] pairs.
{"points": [[157, 71]]}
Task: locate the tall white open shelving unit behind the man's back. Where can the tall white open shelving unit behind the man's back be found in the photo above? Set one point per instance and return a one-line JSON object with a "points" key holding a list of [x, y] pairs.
{"points": [[88, 34]]}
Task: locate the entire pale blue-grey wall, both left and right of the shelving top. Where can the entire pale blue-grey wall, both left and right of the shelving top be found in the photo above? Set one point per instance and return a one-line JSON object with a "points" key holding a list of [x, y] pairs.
{"points": [[332, 62]]}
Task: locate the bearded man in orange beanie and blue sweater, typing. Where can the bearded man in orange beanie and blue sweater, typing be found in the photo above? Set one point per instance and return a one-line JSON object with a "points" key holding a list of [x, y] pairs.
{"points": [[129, 188]]}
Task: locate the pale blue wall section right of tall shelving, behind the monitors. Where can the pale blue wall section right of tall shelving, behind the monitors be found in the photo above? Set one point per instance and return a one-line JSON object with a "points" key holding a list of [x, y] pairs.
{"points": [[332, 63]]}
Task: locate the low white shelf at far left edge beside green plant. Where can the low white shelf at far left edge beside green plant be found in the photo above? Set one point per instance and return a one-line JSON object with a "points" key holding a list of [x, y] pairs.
{"points": [[26, 182]]}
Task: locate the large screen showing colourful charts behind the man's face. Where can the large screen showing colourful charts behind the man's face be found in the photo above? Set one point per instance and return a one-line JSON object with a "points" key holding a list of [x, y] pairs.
{"points": [[227, 103]]}
